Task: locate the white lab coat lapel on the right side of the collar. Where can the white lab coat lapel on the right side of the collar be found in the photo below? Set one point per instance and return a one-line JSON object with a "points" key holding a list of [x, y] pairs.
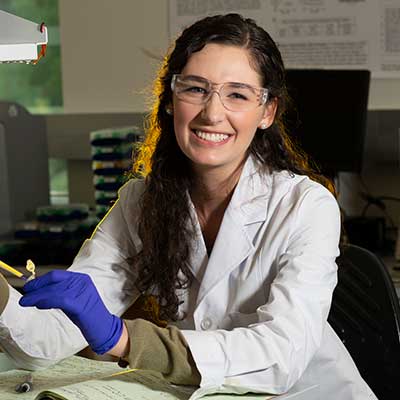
{"points": [[234, 242]]}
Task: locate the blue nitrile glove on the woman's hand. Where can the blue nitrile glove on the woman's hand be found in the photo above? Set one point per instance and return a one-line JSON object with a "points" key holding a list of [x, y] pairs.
{"points": [[76, 295]]}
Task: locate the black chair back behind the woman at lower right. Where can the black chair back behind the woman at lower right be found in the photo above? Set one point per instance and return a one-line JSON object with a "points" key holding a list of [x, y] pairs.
{"points": [[365, 314]]}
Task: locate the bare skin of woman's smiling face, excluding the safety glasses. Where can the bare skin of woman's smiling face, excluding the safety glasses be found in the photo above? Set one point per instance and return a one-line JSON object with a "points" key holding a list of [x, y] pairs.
{"points": [[208, 134]]}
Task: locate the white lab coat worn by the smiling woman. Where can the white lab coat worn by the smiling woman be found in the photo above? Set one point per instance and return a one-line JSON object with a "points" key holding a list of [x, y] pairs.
{"points": [[255, 317]]}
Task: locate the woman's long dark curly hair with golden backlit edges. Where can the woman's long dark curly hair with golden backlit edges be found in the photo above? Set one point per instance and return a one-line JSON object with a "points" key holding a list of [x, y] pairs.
{"points": [[166, 227]]}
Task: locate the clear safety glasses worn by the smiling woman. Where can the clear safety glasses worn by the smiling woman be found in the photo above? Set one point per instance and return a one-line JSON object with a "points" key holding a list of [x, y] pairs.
{"points": [[235, 96]]}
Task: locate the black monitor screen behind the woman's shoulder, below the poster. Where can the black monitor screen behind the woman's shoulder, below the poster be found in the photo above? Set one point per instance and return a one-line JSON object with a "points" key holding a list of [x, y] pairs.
{"points": [[331, 116]]}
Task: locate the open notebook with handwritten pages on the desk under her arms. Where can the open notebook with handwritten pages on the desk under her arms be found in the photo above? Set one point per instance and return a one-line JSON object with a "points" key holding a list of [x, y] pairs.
{"points": [[77, 378]]}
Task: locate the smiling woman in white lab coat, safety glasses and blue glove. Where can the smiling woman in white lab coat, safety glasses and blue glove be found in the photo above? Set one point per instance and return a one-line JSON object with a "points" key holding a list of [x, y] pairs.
{"points": [[227, 231]]}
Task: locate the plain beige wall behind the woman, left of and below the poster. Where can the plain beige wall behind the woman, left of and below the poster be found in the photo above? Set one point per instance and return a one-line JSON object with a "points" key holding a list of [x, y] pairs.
{"points": [[105, 68]]}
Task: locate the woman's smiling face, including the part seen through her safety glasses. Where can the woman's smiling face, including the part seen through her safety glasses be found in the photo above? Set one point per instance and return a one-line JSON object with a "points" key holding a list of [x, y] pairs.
{"points": [[218, 130]]}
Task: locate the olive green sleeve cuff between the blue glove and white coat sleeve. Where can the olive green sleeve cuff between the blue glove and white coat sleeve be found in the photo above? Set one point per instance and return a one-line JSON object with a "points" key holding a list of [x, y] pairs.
{"points": [[161, 349]]}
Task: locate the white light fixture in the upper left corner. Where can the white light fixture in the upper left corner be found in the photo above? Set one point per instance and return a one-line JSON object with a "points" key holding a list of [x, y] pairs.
{"points": [[20, 38]]}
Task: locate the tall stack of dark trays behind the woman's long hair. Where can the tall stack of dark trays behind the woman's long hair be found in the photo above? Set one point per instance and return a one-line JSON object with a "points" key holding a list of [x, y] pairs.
{"points": [[111, 160]]}
